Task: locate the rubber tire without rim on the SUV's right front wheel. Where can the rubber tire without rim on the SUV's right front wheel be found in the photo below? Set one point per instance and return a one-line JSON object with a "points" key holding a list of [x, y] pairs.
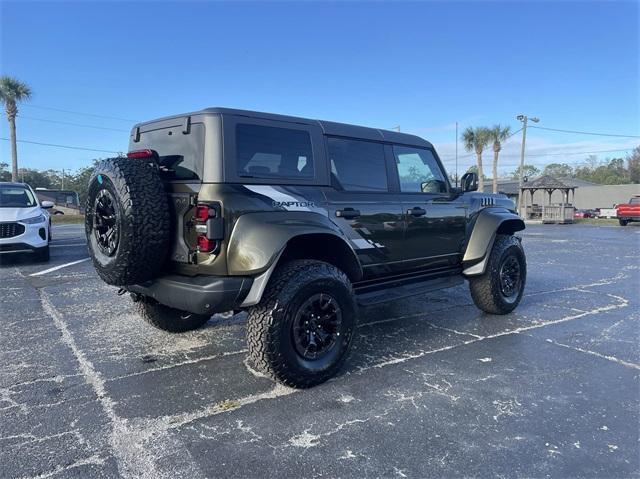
{"points": [[486, 289]]}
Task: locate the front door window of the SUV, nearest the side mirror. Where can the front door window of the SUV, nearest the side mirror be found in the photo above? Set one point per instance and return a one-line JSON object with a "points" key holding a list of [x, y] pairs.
{"points": [[418, 171]]}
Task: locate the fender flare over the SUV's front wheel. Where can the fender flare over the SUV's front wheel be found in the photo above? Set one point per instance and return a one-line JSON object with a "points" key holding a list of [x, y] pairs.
{"points": [[489, 223]]}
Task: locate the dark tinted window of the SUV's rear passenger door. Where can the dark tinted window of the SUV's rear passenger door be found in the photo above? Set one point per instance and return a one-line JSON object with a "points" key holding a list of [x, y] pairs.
{"points": [[357, 165]]}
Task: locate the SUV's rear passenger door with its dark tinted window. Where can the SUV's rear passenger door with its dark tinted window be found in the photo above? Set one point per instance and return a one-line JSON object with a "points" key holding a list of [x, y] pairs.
{"points": [[361, 203]]}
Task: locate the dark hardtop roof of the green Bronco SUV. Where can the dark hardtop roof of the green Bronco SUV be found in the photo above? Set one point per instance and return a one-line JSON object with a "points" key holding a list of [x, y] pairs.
{"points": [[328, 127]]}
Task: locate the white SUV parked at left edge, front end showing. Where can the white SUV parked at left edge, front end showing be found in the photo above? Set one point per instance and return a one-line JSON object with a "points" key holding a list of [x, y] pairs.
{"points": [[25, 225]]}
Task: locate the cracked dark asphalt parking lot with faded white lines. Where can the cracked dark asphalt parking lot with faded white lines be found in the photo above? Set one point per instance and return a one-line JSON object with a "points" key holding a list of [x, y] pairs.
{"points": [[433, 388]]}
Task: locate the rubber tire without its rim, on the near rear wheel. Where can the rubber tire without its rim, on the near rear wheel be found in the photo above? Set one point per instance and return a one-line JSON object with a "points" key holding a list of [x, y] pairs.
{"points": [[270, 323]]}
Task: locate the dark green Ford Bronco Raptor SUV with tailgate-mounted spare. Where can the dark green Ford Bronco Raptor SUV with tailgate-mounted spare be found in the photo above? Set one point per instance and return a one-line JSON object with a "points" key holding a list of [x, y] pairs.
{"points": [[295, 221]]}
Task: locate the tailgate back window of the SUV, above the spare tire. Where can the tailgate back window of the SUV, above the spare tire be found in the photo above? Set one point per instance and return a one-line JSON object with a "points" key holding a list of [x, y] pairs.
{"points": [[181, 156]]}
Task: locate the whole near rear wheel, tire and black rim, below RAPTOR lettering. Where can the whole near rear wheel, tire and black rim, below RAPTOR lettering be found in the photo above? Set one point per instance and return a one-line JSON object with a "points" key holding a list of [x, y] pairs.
{"points": [[302, 330]]}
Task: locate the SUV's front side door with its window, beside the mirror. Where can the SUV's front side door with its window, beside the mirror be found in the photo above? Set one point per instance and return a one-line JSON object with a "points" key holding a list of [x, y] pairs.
{"points": [[435, 225]]}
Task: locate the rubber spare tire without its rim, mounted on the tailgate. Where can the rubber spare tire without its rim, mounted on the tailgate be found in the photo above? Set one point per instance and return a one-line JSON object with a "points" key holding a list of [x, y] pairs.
{"points": [[142, 219]]}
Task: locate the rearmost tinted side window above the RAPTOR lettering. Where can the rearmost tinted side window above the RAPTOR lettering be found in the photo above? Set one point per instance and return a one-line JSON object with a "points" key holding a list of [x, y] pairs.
{"points": [[271, 152]]}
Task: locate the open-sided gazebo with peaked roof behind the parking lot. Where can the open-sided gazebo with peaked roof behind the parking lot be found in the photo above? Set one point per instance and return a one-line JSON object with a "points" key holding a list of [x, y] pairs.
{"points": [[547, 212]]}
